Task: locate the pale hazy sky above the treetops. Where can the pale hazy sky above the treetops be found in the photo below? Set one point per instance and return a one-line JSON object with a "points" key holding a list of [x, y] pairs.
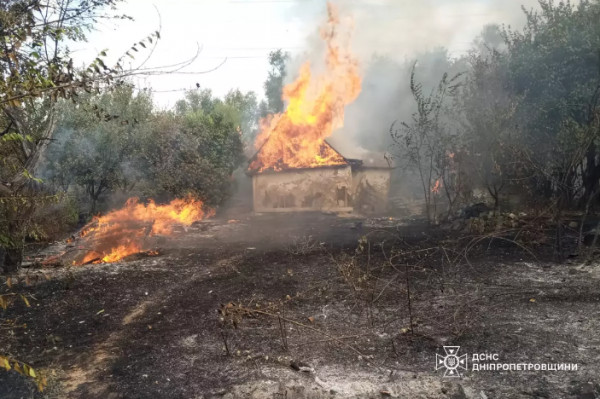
{"points": [[244, 31]]}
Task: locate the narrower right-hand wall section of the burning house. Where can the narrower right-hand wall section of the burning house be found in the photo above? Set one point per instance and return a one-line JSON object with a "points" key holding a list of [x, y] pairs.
{"points": [[371, 188]]}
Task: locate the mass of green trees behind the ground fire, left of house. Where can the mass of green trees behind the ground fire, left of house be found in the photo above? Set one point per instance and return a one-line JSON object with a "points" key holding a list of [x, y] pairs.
{"points": [[115, 143]]}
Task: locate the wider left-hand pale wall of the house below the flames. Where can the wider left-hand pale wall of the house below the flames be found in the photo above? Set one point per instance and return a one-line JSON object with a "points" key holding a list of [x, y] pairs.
{"points": [[324, 189]]}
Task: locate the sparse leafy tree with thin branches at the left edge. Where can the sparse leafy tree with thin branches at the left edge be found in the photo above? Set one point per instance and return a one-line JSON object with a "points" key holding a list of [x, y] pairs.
{"points": [[35, 71]]}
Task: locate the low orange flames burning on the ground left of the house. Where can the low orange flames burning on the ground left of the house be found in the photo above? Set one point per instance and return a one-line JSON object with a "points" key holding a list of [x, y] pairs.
{"points": [[122, 232]]}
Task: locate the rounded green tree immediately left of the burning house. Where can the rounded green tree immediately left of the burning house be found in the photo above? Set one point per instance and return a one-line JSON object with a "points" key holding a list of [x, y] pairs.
{"points": [[195, 149]]}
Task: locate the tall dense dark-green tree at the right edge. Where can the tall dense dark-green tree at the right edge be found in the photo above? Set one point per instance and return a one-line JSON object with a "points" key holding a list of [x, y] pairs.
{"points": [[554, 64]]}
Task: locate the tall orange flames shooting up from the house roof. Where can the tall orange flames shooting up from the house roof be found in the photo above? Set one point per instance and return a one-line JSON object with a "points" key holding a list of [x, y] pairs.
{"points": [[315, 108]]}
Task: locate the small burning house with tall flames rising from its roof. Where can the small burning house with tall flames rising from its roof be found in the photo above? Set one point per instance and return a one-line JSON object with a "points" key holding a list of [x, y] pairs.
{"points": [[295, 168]]}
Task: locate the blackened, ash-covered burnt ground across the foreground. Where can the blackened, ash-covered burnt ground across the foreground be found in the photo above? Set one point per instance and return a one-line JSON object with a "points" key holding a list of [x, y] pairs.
{"points": [[227, 307]]}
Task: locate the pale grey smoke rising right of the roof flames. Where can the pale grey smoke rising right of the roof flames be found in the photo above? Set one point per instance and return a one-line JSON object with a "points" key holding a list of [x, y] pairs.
{"points": [[388, 36]]}
